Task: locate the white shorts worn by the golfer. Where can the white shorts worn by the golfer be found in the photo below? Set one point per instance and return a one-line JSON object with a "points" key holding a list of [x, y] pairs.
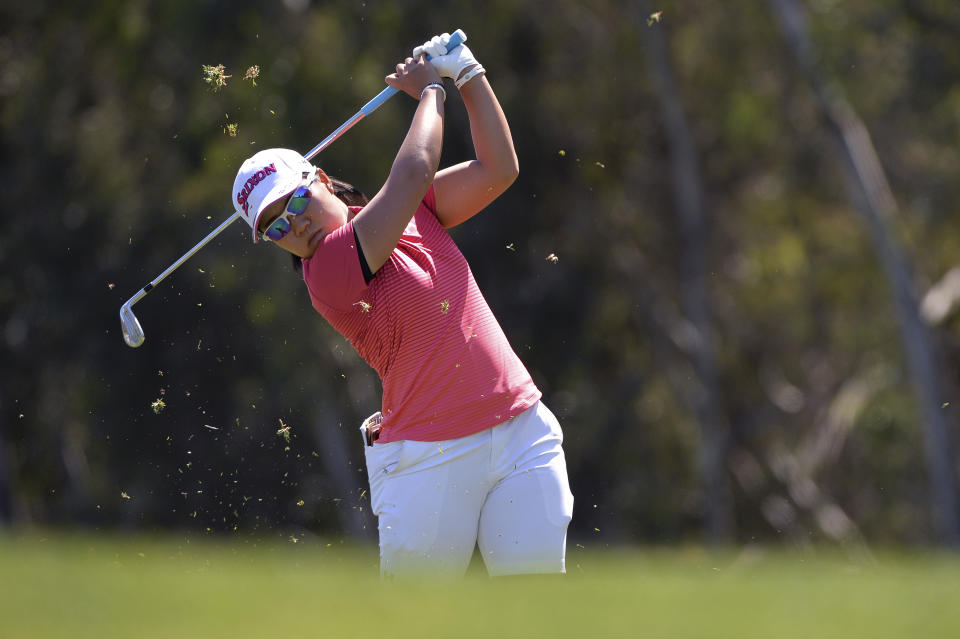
{"points": [[504, 488]]}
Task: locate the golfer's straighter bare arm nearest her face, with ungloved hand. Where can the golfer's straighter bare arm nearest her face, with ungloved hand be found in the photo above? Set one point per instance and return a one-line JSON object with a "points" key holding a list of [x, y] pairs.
{"points": [[381, 223]]}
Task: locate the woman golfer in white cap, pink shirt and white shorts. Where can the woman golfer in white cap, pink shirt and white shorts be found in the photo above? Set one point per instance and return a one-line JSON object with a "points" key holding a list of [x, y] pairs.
{"points": [[463, 452]]}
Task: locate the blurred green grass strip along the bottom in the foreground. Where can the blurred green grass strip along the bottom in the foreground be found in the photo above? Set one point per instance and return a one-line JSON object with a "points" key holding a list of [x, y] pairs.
{"points": [[90, 586]]}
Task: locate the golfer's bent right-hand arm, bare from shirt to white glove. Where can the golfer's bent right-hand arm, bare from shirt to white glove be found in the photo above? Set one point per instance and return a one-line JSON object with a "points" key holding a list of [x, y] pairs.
{"points": [[463, 190]]}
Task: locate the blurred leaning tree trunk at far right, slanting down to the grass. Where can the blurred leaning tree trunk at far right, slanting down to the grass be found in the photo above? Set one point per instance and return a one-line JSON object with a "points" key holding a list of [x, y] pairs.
{"points": [[872, 196]]}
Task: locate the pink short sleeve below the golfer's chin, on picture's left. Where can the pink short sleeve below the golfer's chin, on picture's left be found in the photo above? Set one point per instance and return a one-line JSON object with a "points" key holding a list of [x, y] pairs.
{"points": [[333, 275]]}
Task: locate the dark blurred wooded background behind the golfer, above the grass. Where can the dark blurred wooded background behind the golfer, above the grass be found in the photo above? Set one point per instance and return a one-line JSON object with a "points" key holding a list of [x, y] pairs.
{"points": [[750, 331]]}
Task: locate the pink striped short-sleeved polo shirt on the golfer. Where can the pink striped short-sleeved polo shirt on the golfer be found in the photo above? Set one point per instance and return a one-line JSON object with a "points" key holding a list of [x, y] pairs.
{"points": [[446, 366]]}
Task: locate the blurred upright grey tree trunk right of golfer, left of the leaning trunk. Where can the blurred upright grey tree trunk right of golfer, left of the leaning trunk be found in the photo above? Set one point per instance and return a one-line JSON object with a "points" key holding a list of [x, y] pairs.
{"points": [[692, 220]]}
